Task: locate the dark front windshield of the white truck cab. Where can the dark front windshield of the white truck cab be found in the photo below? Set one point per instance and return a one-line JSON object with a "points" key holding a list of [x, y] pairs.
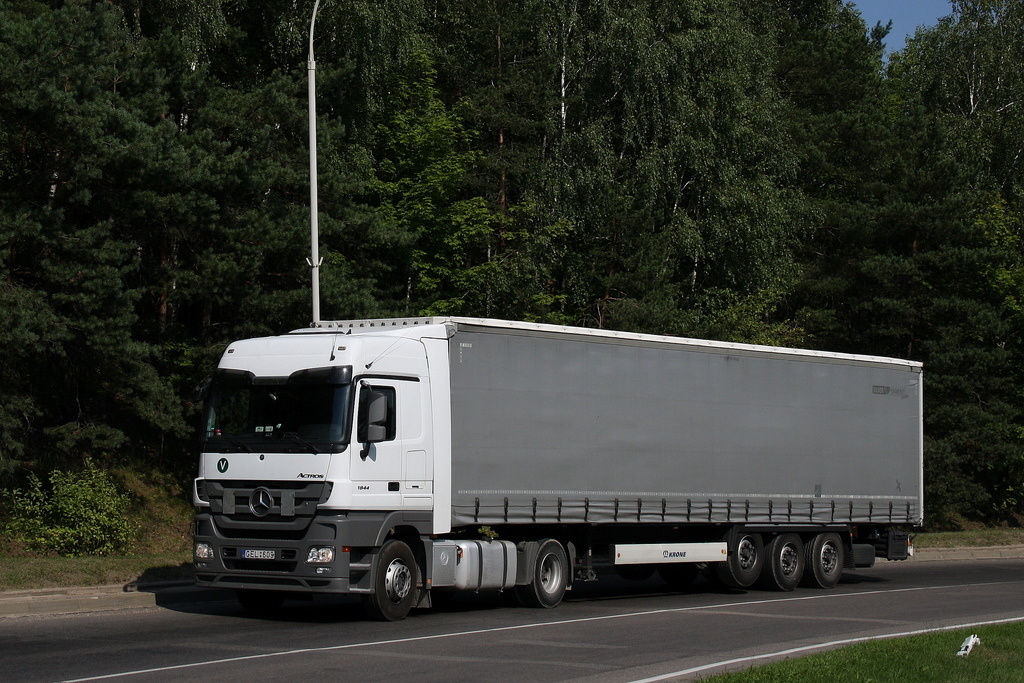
{"points": [[276, 418]]}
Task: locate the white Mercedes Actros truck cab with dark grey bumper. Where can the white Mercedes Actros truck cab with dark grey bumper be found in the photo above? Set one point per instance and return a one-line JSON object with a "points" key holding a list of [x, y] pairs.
{"points": [[316, 448]]}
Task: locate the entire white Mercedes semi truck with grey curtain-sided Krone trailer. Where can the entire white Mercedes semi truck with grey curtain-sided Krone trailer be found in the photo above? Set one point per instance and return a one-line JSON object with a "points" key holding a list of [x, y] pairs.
{"points": [[397, 459]]}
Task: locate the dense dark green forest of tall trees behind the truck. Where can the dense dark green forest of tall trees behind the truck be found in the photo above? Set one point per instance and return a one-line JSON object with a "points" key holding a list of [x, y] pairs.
{"points": [[744, 170]]}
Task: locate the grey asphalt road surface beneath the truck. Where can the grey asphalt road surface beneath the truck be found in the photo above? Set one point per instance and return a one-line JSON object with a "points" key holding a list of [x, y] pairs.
{"points": [[610, 631]]}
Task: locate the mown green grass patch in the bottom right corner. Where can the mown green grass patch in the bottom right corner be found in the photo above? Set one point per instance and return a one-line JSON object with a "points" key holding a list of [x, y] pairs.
{"points": [[925, 659]]}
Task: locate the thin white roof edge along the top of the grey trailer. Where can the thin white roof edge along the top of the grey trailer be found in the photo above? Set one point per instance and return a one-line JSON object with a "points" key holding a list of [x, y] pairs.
{"points": [[389, 325]]}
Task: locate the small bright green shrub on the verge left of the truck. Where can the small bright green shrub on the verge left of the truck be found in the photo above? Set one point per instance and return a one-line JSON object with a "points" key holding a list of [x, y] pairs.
{"points": [[79, 514]]}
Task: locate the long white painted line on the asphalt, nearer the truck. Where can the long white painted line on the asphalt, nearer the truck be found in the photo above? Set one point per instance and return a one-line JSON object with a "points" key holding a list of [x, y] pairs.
{"points": [[456, 634]]}
